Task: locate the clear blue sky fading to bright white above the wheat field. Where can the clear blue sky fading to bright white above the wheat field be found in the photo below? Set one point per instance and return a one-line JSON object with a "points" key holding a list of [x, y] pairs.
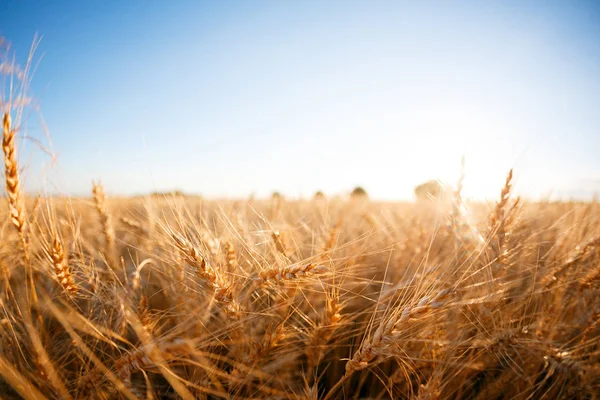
{"points": [[228, 98]]}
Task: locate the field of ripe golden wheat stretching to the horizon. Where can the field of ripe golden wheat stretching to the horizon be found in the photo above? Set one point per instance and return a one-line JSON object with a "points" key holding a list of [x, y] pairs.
{"points": [[168, 296]]}
